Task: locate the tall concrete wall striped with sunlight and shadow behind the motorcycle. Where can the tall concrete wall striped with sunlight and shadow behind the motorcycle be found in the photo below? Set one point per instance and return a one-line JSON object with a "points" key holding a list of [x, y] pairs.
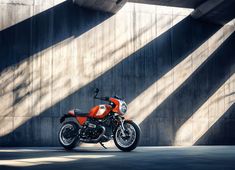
{"points": [[169, 67]]}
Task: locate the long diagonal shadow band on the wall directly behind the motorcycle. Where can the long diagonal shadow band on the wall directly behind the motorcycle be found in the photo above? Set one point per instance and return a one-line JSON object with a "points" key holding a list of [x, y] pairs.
{"points": [[128, 78]]}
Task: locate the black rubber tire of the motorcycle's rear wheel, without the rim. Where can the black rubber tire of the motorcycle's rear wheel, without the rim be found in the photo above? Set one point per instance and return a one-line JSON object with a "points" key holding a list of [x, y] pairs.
{"points": [[75, 141]]}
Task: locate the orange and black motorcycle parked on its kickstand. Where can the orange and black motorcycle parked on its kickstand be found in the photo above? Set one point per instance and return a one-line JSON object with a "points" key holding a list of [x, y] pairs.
{"points": [[102, 123]]}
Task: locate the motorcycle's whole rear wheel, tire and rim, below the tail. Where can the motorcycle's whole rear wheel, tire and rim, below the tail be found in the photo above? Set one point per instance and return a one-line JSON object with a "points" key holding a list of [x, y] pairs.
{"points": [[68, 135]]}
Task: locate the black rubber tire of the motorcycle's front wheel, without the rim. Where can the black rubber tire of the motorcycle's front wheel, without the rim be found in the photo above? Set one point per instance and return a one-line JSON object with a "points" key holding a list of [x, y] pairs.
{"points": [[136, 142]]}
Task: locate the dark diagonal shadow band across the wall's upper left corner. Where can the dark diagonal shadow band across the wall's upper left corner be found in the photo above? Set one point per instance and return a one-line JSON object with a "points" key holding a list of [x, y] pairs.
{"points": [[45, 29]]}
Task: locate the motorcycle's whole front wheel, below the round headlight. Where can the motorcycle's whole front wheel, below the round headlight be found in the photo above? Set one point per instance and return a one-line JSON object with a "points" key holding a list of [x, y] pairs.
{"points": [[128, 141]]}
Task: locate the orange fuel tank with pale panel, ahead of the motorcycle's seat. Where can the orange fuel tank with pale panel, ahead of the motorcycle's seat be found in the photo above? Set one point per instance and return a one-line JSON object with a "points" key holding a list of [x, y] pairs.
{"points": [[99, 111]]}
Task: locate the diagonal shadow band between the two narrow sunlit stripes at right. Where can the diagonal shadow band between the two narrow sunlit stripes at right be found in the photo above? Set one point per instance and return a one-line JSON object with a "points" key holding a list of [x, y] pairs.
{"points": [[180, 105]]}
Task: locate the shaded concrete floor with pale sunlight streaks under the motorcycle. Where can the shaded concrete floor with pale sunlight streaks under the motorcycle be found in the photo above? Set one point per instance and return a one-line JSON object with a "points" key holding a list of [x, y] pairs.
{"points": [[164, 158]]}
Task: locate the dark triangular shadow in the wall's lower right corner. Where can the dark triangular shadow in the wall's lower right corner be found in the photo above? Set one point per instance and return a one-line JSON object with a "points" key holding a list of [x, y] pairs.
{"points": [[222, 132]]}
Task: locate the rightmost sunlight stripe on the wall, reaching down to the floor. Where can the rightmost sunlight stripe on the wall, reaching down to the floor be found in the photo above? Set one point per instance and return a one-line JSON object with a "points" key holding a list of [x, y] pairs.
{"points": [[207, 115]]}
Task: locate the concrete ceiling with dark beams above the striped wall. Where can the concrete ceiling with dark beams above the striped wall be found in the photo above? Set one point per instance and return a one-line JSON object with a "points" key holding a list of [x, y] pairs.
{"points": [[216, 11]]}
